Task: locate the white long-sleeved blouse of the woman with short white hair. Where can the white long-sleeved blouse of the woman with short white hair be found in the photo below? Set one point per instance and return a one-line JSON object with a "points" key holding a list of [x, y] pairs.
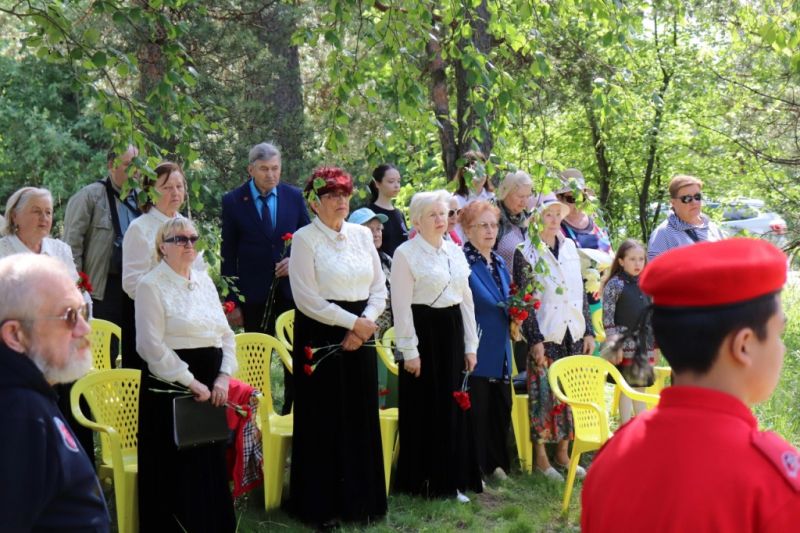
{"points": [[437, 277]]}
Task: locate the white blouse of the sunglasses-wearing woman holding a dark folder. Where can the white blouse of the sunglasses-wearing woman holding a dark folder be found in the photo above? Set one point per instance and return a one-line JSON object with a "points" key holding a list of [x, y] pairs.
{"points": [[174, 313]]}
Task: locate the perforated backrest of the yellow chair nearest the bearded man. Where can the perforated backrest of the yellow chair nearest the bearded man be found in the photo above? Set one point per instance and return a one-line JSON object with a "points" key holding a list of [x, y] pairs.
{"points": [[113, 397]]}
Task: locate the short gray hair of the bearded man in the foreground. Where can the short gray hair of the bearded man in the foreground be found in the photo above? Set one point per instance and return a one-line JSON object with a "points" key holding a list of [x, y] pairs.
{"points": [[24, 279]]}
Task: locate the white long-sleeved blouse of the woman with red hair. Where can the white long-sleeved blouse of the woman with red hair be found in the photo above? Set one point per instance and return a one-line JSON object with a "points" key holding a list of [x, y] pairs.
{"points": [[328, 265]]}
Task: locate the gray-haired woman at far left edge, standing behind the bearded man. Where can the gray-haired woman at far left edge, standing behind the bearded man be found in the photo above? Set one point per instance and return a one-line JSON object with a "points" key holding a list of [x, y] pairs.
{"points": [[28, 221]]}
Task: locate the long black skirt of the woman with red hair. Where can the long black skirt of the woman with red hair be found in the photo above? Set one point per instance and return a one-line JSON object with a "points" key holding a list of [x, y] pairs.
{"points": [[337, 464]]}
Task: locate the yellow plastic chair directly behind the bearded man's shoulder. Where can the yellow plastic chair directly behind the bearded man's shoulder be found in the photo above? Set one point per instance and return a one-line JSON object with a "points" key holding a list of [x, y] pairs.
{"points": [[113, 397]]}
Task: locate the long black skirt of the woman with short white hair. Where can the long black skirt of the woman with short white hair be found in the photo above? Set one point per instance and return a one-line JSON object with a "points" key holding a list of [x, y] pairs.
{"points": [[437, 449]]}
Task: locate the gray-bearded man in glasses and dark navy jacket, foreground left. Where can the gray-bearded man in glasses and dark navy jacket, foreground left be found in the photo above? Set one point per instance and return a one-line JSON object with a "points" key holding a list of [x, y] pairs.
{"points": [[49, 482]]}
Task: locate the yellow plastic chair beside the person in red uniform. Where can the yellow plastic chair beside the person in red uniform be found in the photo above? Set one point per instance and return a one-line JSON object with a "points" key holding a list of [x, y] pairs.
{"points": [[579, 381]]}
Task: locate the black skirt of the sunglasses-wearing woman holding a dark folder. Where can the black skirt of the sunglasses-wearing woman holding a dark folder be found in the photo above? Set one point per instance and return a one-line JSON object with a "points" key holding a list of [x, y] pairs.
{"points": [[186, 490]]}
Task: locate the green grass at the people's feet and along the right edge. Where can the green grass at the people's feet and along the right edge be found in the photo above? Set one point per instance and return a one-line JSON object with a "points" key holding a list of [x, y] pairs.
{"points": [[525, 503]]}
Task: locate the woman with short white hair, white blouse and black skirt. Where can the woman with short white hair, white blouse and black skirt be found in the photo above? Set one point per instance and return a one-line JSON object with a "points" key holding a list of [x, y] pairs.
{"points": [[436, 333]]}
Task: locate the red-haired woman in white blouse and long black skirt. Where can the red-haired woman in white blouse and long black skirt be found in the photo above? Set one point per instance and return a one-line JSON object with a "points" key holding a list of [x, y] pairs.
{"points": [[339, 289]]}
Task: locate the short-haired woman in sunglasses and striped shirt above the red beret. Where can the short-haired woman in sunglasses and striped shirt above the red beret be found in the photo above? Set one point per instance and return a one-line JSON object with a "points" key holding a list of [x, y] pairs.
{"points": [[686, 224]]}
